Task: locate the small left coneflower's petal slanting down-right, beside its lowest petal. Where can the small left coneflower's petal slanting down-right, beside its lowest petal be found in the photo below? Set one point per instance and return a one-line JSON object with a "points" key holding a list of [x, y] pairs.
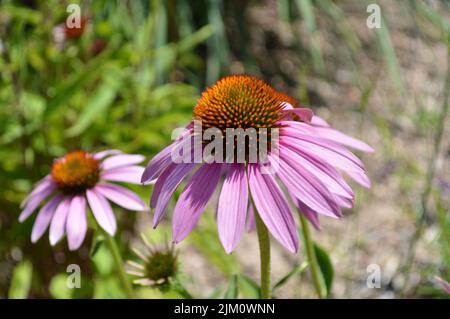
{"points": [[102, 211]]}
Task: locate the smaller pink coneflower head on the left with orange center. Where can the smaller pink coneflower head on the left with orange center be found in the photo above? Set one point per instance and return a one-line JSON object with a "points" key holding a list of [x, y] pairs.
{"points": [[76, 179]]}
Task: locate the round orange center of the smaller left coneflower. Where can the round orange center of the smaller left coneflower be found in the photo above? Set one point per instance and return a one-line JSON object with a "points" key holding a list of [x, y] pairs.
{"points": [[76, 172]]}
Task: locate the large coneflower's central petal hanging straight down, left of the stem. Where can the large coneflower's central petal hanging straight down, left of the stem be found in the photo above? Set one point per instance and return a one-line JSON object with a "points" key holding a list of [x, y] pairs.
{"points": [[232, 208]]}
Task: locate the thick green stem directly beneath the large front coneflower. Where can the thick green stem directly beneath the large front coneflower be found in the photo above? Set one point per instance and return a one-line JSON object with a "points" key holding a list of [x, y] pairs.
{"points": [[264, 251]]}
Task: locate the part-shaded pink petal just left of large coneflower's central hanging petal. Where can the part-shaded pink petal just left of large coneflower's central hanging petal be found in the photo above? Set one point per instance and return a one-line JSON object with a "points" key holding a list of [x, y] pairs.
{"points": [[194, 199]]}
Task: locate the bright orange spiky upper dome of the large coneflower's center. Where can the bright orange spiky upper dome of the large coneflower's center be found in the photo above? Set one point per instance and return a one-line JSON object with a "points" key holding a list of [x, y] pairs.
{"points": [[239, 101]]}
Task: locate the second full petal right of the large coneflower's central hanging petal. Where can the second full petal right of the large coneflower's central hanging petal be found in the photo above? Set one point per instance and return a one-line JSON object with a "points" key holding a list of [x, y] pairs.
{"points": [[306, 187]]}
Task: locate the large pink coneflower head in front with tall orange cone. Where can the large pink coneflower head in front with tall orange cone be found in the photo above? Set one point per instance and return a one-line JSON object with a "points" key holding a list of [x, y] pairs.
{"points": [[310, 157]]}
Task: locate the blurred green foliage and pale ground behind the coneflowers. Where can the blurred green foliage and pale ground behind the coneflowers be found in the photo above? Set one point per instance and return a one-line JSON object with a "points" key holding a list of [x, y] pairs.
{"points": [[133, 73]]}
